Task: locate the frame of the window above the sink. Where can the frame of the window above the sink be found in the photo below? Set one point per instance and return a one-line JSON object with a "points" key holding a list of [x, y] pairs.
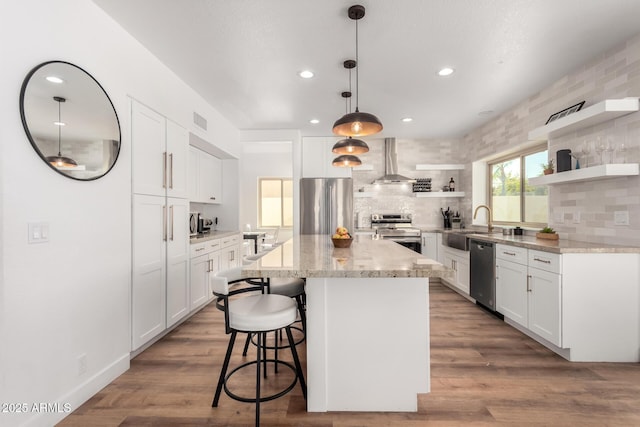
{"points": [[521, 154]]}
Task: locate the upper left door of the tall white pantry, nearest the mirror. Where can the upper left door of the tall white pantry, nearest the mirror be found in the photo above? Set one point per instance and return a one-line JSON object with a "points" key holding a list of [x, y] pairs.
{"points": [[148, 140]]}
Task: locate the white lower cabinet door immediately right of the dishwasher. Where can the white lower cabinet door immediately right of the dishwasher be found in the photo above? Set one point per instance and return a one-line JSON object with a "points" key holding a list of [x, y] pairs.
{"points": [[511, 291]]}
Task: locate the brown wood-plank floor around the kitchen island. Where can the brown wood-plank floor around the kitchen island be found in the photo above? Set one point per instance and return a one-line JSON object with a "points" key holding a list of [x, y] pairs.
{"points": [[483, 372]]}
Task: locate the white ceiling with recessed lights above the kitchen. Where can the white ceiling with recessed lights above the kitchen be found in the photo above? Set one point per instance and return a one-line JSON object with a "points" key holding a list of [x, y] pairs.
{"points": [[243, 56]]}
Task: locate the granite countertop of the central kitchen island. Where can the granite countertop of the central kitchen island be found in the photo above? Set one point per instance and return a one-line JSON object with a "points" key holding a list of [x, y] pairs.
{"points": [[315, 256]]}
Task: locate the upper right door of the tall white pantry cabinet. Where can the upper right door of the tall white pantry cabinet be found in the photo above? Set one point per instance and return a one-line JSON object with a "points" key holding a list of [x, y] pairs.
{"points": [[177, 160]]}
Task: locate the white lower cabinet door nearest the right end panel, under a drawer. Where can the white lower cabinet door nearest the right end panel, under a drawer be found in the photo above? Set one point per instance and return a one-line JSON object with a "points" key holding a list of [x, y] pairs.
{"points": [[545, 305]]}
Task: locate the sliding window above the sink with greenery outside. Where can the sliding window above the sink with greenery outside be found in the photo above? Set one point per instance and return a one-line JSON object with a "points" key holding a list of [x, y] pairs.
{"points": [[513, 200]]}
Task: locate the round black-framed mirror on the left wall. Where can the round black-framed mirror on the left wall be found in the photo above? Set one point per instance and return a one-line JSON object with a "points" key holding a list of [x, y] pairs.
{"points": [[70, 120]]}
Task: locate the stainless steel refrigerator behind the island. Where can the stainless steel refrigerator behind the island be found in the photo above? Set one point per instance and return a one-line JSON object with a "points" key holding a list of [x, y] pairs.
{"points": [[325, 204]]}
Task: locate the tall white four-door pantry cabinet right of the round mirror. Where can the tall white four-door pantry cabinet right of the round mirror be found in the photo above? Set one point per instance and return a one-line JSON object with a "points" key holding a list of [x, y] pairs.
{"points": [[160, 217]]}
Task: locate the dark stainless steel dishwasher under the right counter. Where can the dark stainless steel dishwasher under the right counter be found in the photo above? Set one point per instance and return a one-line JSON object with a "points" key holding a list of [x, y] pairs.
{"points": [[483, 273]]}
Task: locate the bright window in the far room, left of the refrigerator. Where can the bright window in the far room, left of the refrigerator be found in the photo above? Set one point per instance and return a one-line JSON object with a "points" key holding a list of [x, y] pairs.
{"points": [[275, 202]]}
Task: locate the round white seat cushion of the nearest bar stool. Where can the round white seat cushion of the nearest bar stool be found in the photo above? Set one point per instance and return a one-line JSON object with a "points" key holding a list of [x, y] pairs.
{"points": [[260, 313]]}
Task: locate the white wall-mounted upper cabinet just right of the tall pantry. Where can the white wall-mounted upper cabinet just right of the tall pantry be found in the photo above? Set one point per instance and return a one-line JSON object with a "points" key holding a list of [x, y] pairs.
{"points": [[205, 178]]}
